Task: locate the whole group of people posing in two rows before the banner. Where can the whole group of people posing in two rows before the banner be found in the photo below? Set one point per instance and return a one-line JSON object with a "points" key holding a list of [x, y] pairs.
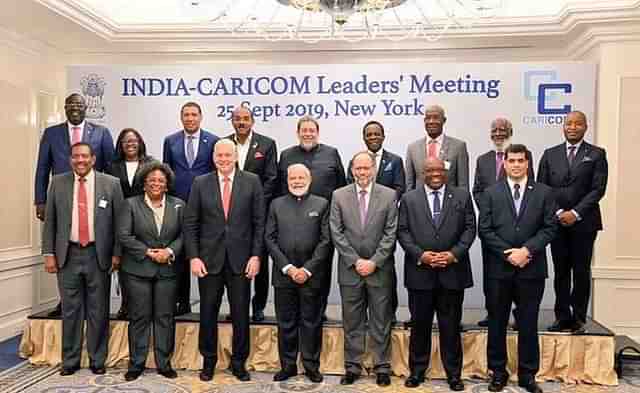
{"points": [[218, 208]]}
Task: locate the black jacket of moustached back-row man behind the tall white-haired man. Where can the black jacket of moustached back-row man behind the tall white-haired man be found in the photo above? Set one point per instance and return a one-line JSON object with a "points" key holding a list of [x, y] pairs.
{"points": [[262, 159]]}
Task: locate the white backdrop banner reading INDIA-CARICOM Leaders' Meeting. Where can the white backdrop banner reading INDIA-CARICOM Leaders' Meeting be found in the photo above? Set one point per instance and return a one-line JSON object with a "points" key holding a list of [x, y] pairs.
{"points": [[534, 96]]}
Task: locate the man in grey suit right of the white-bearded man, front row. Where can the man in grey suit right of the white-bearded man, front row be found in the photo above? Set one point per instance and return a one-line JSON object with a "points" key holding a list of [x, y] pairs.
{"points": [[363, 222]]}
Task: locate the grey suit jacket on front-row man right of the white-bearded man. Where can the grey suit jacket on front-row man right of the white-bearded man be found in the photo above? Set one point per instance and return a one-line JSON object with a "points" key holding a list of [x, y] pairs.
{"points": [[375, 242]]}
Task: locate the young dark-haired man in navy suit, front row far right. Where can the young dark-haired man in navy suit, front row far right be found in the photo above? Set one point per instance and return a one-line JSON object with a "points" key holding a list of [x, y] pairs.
{"points": [[516, 223]]}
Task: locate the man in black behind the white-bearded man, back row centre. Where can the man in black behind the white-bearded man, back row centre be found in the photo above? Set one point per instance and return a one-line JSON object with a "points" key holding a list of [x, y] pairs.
{"points": [[326, 168]]}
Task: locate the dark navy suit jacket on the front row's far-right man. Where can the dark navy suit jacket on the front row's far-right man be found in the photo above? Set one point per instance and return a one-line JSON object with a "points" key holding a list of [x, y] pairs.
{"points": [[500, 229]]}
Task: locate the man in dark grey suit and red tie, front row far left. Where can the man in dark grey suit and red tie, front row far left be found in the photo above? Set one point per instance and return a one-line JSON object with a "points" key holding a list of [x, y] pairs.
{"points": [[79, 245]]}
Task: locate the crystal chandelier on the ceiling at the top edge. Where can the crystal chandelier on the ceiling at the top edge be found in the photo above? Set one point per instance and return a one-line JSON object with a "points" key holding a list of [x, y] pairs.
{"points": [[313, 21]]}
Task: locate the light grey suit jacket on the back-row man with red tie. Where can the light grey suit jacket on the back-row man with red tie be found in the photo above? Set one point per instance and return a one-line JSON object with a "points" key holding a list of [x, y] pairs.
{"points": [[453, 151]]}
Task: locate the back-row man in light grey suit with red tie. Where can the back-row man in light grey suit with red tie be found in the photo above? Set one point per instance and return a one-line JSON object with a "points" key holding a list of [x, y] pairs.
{"points": [[437, 145]]}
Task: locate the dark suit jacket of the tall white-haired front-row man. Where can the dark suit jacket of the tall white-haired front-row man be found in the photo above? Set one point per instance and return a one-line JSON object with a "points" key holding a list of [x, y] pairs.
{"points": [[208, 236]]}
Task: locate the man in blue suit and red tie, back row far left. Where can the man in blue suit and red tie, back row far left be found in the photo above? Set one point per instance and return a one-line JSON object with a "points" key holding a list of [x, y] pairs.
{"points": [[55, 150]]}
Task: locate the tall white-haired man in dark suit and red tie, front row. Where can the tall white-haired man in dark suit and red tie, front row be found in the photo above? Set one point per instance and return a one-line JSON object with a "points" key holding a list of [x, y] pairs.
{"points": [[223, 236]]}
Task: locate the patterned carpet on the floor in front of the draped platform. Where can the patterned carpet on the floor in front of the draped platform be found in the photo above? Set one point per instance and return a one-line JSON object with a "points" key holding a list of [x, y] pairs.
{"points": [[30, 379]]}
